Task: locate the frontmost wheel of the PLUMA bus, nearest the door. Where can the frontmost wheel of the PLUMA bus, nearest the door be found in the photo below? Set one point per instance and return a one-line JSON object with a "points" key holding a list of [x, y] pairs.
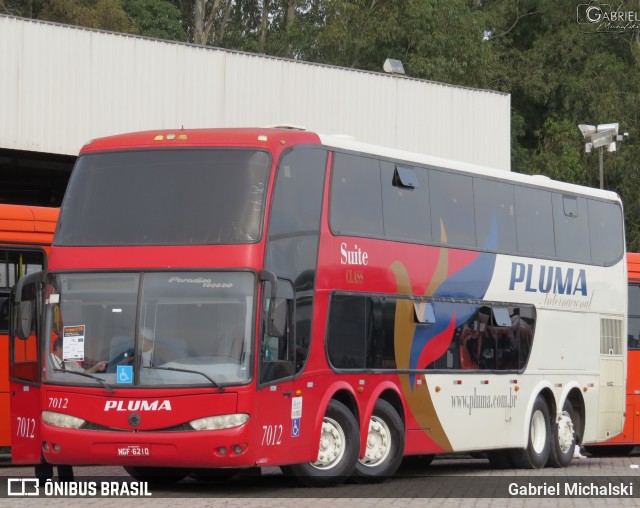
{"points": [[337, 452]]}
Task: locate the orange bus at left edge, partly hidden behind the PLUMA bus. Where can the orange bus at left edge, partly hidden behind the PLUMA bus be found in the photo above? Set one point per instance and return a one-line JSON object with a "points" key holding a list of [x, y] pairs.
{"points": [[26, 233]]}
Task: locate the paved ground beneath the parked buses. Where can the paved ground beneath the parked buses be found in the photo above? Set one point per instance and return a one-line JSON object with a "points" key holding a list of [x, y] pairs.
{"points": [[448, 482]]}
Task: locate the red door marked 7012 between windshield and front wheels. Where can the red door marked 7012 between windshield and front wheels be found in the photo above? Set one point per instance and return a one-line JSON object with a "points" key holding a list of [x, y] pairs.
{"points": [[278, 410]]}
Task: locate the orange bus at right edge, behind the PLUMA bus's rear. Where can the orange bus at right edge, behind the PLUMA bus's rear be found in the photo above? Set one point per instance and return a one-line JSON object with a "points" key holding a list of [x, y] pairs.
{"points": [[629, 438]]}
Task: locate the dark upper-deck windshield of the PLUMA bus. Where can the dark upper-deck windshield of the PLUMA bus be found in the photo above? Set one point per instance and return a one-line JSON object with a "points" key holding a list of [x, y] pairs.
{"points": [[165, 197]]}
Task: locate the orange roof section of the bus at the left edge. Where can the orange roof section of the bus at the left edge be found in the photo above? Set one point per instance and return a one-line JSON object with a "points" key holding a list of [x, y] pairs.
{"points": [[27, 224]]}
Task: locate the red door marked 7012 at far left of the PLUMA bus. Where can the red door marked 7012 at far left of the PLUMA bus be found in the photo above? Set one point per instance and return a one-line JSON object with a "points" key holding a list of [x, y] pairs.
{"points": [[24, 370]]}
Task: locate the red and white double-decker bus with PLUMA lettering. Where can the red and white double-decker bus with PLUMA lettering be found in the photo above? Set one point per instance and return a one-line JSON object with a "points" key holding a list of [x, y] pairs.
{"points": [[228, 298]]}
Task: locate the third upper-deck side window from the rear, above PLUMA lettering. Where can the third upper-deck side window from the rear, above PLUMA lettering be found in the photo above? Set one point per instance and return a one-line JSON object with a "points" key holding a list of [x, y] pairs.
{"points": [[534, 222]]}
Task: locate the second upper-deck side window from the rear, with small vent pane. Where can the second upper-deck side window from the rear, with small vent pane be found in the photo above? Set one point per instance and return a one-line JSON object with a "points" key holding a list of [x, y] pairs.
{"points": [[571, 227]]}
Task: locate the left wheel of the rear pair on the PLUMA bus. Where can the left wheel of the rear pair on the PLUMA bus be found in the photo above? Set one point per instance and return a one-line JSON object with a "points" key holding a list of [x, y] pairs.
{"points": [[535, 455]]}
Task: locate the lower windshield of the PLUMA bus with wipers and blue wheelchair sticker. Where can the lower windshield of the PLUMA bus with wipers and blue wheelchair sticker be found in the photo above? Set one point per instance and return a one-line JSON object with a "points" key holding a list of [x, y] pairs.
{"points": [[189, 328]]}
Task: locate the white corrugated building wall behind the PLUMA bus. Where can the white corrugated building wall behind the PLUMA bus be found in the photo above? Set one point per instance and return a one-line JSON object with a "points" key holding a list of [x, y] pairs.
{"points": [[61, 86]]}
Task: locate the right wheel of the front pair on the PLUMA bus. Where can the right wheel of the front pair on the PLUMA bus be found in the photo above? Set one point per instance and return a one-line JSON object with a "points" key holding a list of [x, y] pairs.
{"points": [[385, 445]]}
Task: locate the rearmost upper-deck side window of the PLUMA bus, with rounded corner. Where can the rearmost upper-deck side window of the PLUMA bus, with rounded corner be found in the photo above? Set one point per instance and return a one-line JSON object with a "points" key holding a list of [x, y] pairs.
{"points": [[605, 231]]}
